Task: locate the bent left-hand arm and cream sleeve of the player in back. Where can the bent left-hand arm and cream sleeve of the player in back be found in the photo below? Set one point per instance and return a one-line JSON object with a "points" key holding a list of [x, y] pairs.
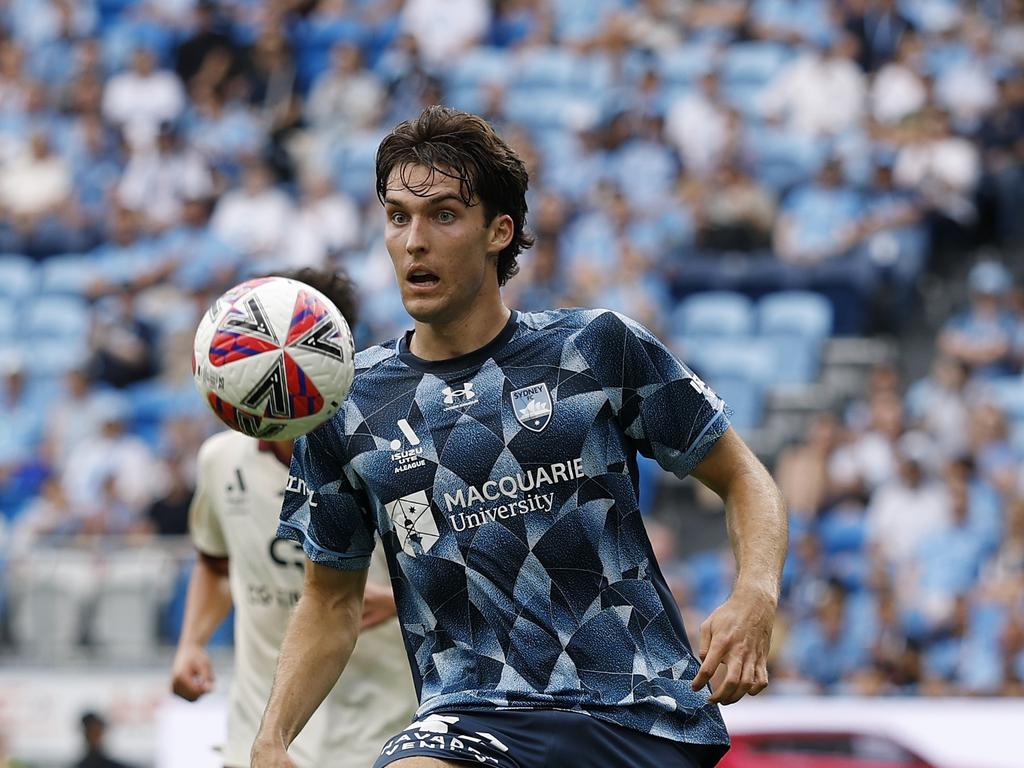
{"points": [[209, 600]]}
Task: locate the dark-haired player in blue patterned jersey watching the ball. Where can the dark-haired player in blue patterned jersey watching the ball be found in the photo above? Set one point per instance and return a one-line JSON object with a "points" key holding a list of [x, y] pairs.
{"points": [[495, 454]]}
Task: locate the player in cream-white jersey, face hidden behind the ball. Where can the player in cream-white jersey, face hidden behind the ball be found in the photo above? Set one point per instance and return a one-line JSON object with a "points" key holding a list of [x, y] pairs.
{"points": [[233, 522]]}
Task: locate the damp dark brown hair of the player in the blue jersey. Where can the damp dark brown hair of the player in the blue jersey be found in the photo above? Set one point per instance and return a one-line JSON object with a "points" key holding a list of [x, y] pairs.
{"points": [[463, 147]]}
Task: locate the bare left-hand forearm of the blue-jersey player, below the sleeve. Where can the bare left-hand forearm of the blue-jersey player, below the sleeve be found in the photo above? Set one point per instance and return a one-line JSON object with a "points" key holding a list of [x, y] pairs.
{"points": [[320, 641]]}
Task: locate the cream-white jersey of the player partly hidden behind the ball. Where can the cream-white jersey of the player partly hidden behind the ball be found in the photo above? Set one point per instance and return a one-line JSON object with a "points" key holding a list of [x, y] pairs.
{"points": [[235, 516]]}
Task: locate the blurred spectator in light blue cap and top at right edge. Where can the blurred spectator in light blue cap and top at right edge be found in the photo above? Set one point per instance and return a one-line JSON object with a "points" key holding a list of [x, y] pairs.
{"points": [[984, 336]]}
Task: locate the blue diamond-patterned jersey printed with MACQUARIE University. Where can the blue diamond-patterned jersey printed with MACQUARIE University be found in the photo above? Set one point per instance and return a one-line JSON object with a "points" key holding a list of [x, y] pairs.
{"points": [[503, 485]]}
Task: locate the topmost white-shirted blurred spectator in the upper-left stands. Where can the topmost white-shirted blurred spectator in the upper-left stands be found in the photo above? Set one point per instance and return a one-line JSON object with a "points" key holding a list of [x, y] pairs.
{"points": [[141, 100]]}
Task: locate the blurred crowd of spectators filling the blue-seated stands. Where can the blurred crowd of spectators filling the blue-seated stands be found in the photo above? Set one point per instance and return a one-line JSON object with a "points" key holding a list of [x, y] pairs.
{"points": [[155, 152]]}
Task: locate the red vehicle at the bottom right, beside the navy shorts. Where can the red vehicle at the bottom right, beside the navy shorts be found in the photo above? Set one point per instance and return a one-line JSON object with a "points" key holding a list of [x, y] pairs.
{"points": [[820, 750]]}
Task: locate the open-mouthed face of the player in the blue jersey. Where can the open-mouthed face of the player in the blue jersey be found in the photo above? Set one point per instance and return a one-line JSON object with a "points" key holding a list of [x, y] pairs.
{"points": [[444, 251]]}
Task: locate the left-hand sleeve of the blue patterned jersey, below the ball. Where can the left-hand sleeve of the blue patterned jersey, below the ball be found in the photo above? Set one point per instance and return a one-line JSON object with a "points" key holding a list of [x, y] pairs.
{"points": [[323, 510]]}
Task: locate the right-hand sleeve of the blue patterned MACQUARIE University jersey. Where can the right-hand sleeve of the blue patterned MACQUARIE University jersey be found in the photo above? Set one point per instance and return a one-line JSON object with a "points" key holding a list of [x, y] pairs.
{"points": [[665, 409]]}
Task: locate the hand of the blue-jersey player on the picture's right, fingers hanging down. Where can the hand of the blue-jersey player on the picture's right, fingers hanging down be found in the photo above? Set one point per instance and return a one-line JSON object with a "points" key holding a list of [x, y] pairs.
{"points": [[738, 635]]}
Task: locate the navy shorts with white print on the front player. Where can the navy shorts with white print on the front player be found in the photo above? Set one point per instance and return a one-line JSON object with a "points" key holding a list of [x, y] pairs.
{"points": [[540, 739]]}
